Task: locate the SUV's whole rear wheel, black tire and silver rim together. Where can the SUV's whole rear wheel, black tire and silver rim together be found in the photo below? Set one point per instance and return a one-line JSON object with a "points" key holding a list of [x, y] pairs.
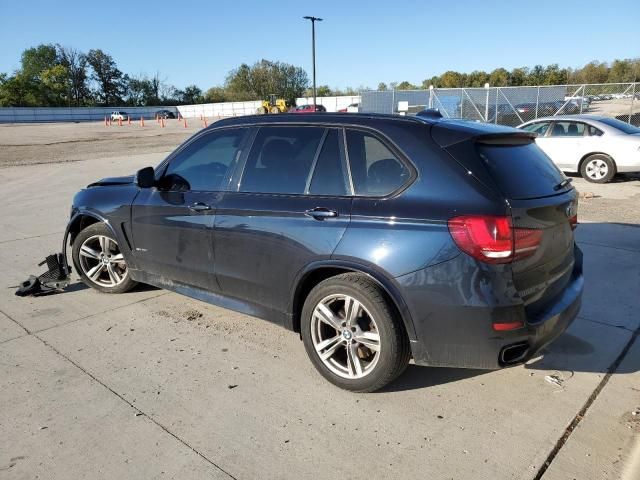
{"points": [[351, 334]]}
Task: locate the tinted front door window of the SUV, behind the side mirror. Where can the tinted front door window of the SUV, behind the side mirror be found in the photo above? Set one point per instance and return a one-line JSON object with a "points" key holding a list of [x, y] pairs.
{"points": [[205, 163]]}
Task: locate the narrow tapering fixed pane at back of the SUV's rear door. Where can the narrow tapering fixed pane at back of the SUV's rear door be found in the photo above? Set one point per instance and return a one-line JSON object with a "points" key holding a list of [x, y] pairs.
{"points": [[329, 176]]}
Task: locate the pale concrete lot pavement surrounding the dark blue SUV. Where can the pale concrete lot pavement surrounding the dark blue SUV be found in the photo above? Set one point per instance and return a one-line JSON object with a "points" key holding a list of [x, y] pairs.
{"points": [[150, 384]]}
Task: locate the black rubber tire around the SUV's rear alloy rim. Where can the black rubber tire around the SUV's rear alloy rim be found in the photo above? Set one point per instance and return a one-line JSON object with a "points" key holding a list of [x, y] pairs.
{"points": [[394, 353]]}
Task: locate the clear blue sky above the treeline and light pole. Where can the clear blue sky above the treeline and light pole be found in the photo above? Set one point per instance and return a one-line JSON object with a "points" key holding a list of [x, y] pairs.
{"points": [[359, 43]]}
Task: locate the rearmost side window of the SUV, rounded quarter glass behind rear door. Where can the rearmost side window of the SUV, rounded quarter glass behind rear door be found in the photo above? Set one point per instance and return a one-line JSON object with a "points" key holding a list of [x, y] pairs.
{"points": [[375, 170]]}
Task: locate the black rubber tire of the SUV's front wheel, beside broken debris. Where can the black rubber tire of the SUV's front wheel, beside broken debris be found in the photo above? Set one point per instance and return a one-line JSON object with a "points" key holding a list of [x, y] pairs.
{"points": [[90, 233]]}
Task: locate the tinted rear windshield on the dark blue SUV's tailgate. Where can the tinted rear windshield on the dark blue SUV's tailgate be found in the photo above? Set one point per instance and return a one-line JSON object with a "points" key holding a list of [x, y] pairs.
{"points": [[521, 171]]}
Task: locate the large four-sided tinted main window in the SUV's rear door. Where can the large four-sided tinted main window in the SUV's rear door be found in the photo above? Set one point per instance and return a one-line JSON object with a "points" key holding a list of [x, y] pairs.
{"points": [[281, 159]]}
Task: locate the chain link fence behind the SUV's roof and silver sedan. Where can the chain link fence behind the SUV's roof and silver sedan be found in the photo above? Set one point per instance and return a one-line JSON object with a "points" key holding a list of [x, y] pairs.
{"points": [[512, 105]]}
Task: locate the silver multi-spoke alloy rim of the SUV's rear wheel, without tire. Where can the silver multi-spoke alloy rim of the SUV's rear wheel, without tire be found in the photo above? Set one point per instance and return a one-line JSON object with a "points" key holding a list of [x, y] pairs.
{"points": [[345, 336]]}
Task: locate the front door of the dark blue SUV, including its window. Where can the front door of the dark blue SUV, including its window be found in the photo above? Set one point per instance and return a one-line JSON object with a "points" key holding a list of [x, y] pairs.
{"points": [[172, 222]]}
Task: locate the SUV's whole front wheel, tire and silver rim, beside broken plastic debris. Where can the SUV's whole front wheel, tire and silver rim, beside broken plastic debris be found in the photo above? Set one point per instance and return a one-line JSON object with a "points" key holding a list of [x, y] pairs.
{"points": [[99, 260]]}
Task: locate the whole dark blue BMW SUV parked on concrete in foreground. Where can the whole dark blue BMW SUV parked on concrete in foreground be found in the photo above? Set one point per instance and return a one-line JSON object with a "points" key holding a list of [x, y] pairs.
{"points": [[377, 238]]}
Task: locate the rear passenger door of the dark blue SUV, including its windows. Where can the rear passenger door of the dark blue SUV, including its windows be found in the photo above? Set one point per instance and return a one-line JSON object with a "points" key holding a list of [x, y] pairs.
{"points": [[292, 208]]}
